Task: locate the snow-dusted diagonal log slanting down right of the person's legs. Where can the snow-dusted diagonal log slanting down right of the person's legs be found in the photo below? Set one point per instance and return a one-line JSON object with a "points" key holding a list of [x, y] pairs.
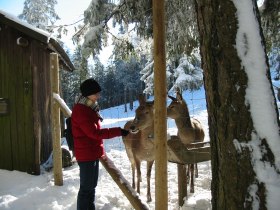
{"points": [[123, 184]]}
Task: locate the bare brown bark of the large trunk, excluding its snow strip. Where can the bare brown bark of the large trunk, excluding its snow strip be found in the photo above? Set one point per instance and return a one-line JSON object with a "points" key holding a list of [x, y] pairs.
{"points": [[229, 117]]}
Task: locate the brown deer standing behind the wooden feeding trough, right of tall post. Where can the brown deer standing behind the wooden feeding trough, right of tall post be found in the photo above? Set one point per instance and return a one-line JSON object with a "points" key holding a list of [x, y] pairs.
{"points": [[189, 129]]}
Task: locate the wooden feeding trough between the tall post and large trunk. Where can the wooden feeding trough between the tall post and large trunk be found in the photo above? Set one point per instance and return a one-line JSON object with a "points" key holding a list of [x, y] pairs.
{"points": [[187, 153]]}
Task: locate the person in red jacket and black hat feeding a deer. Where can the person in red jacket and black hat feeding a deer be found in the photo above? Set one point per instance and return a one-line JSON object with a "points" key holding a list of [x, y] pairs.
{"points": [[88, 141]]}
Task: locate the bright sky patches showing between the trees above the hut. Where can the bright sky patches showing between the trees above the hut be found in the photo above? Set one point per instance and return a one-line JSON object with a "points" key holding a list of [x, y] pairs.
{"points": [[69, 11]]}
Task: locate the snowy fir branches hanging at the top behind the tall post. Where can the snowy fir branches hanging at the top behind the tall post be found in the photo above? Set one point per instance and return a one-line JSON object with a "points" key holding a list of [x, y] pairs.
{"points": [[134, 19]]}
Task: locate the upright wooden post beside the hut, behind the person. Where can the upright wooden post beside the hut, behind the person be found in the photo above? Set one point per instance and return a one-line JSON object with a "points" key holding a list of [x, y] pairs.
{"points": [[55, 115]]}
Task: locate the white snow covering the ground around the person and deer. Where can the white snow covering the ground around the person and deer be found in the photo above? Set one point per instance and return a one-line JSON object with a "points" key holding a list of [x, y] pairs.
{"points": [[27, 192]]}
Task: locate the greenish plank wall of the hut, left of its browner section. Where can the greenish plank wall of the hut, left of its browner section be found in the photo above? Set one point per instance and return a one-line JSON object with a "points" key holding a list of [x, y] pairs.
{"points": [[17, 150]]}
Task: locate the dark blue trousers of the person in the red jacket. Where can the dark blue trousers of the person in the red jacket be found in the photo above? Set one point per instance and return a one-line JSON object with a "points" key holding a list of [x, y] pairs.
{"points": [[88, 182]]}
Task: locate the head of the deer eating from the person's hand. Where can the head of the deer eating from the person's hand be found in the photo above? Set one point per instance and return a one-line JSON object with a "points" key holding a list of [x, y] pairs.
{"points": [[144, 115]]}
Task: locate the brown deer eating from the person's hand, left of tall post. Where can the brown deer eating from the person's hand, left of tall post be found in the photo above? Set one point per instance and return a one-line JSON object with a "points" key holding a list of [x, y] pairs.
{"points": [[139, 143]]}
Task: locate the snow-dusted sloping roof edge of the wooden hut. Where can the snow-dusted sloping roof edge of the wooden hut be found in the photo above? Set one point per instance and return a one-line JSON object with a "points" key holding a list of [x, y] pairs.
{"points": [[37, 34]]}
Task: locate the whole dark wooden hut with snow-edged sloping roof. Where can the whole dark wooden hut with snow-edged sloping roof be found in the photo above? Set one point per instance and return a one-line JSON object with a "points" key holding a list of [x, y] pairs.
{"points": [[25, 94]]}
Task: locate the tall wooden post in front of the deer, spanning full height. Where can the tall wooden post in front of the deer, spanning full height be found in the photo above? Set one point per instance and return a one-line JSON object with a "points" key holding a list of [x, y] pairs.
{"points": [[160, 127]]}
